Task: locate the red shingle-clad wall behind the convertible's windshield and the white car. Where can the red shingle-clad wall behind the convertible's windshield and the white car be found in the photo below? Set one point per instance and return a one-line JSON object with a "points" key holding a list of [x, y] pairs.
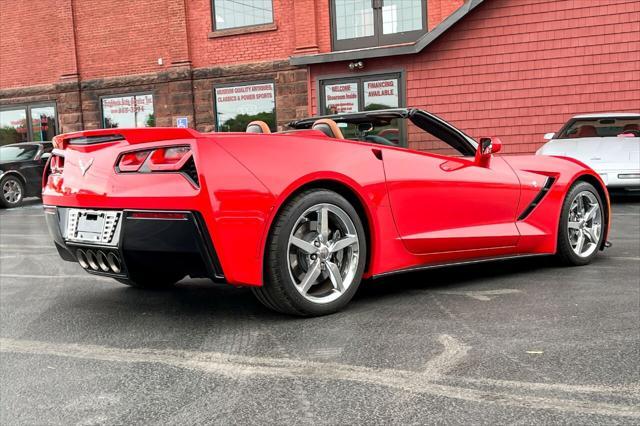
{"points": [[520, 68]]}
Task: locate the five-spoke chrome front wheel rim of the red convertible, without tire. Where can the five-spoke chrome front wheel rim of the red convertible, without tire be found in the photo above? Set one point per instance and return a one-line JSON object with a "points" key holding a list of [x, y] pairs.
{"points": [[585, 224]]}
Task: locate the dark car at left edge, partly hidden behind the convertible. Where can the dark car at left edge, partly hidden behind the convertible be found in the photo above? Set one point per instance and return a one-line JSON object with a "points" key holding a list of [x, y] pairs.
{"points": [[21, 168]]}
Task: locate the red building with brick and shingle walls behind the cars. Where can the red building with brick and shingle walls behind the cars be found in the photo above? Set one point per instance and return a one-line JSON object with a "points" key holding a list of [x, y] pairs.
{"points": [[512, 68]]}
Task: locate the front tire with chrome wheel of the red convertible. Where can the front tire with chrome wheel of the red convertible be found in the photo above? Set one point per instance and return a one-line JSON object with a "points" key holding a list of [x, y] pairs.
{"points": [[582, 223]]}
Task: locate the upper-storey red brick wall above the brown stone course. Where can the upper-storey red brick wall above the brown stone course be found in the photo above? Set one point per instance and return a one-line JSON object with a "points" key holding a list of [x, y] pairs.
{"points": [[124, 37]]}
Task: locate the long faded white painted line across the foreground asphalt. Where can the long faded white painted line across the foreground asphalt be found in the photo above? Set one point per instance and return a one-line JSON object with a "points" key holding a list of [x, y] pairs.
{"points": [[235, 366]]}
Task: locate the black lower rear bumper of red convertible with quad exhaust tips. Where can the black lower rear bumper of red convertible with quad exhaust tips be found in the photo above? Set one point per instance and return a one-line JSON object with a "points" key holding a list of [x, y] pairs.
{"points": [[179, 243]]}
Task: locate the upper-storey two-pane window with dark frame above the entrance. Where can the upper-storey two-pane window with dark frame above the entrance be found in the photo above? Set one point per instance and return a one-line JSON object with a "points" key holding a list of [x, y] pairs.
{"points": [[367, 23]]}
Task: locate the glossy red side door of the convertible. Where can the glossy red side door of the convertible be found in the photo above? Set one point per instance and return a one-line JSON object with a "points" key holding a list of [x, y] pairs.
{"points": [[448, 203]]}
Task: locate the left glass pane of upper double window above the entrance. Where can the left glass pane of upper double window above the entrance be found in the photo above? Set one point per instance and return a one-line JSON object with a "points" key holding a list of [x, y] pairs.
{"points": [[354, 19]]}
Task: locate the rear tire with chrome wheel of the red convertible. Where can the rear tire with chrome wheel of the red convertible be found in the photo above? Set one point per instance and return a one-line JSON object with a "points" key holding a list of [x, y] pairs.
{"points": [[315, 257]]}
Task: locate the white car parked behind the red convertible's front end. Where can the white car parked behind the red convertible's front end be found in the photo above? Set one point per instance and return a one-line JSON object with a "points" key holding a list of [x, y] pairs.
{"points": [[608, 143]]}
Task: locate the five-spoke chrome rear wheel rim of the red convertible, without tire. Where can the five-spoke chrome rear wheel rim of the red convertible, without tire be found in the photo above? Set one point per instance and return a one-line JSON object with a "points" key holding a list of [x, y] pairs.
{"points": [[323, 253]]}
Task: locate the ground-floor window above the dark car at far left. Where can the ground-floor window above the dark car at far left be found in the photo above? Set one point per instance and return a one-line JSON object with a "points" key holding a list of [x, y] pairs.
{"points": [[27, 123]]}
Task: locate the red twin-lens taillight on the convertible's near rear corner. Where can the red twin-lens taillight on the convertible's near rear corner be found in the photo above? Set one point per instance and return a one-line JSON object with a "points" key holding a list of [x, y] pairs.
{"points": [[178, 159]]}
